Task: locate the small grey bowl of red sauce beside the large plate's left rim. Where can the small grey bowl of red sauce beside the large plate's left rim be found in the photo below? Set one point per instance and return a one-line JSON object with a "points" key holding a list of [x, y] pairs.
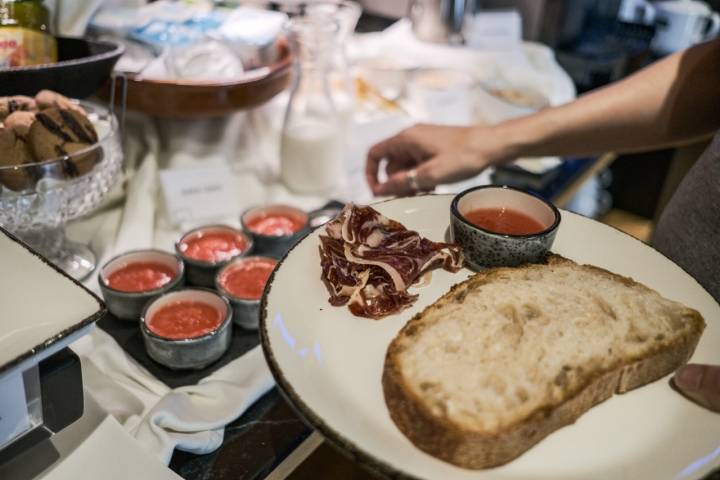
{"points": [[246, 306]]}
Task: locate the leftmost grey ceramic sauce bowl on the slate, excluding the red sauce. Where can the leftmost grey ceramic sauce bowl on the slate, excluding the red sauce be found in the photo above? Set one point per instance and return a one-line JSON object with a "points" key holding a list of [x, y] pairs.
{"points": [[128, 305]]}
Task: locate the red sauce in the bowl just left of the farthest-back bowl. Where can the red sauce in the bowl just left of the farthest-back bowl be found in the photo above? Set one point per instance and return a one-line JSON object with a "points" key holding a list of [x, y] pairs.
{"points": [[213, 245]]}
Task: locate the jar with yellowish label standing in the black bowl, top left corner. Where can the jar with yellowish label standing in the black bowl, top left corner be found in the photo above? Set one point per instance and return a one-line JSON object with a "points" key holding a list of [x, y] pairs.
{"points": [[25, 37]]}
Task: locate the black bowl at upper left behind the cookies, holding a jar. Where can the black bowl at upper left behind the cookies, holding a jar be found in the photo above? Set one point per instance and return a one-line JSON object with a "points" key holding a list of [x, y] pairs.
{"points": [[83, 67]]}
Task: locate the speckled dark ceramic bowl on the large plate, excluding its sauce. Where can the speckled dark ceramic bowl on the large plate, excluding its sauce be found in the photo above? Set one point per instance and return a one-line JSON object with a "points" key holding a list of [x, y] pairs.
{"points": [[486, 248]]}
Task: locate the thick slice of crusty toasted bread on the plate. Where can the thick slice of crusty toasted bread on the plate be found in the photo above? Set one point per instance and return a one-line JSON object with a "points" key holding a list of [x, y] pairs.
{"points": [[512, 354]]}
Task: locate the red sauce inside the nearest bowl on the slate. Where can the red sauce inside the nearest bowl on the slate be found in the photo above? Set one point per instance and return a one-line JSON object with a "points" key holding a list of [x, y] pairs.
{"points": [[184, 319]]}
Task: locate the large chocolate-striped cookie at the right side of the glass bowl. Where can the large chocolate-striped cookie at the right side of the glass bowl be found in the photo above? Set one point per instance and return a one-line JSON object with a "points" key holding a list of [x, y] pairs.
{"points": [[59, 133]]}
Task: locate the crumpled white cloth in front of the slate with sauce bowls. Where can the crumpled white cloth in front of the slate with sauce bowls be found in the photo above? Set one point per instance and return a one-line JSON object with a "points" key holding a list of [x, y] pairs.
{"points": [[190, 418]]}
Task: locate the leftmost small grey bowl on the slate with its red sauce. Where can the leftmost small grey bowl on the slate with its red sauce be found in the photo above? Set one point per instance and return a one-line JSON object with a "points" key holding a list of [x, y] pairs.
{"points": [[131, 280]]}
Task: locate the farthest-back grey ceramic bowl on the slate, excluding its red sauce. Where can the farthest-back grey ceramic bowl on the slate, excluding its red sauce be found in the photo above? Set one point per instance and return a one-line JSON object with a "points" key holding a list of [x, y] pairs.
{"points": [[275, 246]]}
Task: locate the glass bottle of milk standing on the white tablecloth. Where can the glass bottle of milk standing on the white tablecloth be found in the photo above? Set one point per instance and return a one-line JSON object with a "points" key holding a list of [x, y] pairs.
{"points": [[312, 136]]}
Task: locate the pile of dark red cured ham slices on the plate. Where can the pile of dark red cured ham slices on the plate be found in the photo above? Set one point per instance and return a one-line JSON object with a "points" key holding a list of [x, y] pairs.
{"points": [[369, 261]]}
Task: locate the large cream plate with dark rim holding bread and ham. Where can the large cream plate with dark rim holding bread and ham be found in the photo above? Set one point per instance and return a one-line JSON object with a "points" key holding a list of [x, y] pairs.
{"points": [[329, 363]]}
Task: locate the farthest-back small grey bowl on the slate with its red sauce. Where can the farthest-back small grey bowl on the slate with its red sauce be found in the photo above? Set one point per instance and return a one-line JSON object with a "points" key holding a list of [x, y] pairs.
{"points": [[268, 236]]}
